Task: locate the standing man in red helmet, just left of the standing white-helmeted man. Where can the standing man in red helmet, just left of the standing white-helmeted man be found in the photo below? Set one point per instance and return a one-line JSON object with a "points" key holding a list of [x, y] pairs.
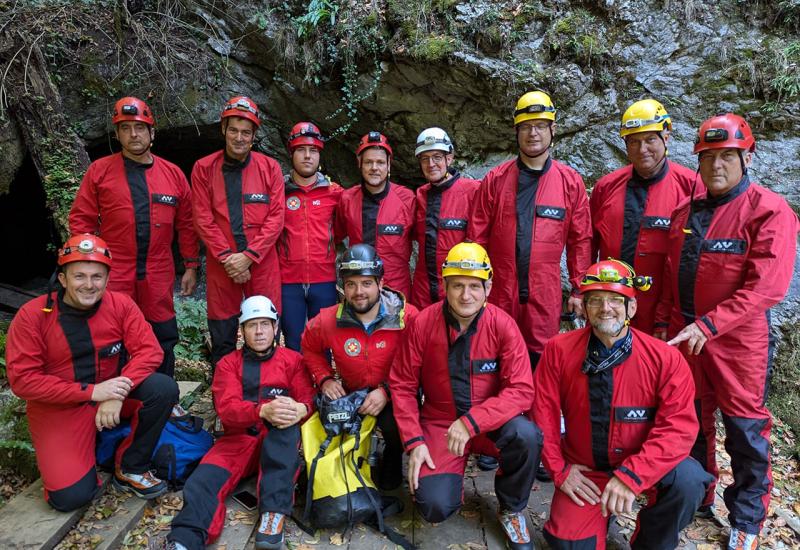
{"points": [[379, 212]]}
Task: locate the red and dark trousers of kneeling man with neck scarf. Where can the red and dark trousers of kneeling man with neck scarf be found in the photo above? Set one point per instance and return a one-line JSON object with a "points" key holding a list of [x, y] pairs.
{"points": [[671, 506]]}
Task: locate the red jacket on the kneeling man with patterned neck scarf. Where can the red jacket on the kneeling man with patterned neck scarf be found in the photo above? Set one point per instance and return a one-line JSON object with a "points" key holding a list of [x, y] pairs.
{"points": [[649, 421]]}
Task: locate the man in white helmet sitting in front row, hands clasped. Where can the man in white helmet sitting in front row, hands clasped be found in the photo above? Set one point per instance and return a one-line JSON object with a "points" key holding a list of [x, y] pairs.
{"points": [[262, 393]]}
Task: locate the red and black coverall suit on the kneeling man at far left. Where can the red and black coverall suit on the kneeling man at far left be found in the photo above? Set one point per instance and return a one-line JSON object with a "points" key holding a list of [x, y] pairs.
{"points": [[55, 358]]}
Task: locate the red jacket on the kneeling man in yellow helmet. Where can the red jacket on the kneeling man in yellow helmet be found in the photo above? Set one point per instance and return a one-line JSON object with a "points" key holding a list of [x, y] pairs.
{"points": [[494, 384]]}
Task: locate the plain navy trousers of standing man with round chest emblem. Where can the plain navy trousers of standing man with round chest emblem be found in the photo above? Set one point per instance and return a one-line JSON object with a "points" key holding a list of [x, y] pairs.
{"points": [[300, 303]]}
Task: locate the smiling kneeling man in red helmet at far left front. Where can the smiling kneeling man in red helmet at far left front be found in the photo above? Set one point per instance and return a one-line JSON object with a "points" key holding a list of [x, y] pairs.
{"points": [[82, 360]]}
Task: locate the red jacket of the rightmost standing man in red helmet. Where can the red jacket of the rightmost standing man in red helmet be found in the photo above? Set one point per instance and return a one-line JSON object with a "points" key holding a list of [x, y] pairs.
{"points": [[730, 260]]}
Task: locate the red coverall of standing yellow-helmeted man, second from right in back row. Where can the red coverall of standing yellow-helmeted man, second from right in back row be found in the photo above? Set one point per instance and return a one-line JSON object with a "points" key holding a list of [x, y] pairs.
{"points": [[630, 219]]}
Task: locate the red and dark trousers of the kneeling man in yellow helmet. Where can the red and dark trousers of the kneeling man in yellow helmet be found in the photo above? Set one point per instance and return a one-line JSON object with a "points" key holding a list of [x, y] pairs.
{"points": [[517, 444]]}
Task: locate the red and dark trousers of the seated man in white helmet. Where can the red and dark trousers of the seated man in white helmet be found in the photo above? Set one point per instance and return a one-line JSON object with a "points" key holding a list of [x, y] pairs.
{"points": [[232, 458]]}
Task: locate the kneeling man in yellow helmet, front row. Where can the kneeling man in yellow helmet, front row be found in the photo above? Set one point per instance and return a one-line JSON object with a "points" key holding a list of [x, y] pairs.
{"points": [[476, 383]]}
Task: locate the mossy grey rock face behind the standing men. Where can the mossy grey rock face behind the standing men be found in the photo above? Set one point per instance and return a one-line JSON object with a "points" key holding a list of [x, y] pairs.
{"points": [[461, 65]]}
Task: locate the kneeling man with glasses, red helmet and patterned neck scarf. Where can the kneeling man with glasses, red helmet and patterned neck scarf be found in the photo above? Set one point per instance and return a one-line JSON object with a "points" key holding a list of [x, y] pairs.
{"points": [[627, 401]]}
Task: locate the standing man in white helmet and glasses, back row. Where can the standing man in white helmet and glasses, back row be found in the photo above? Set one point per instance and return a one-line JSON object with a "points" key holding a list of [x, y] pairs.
{"points": [[442, 212]]}
